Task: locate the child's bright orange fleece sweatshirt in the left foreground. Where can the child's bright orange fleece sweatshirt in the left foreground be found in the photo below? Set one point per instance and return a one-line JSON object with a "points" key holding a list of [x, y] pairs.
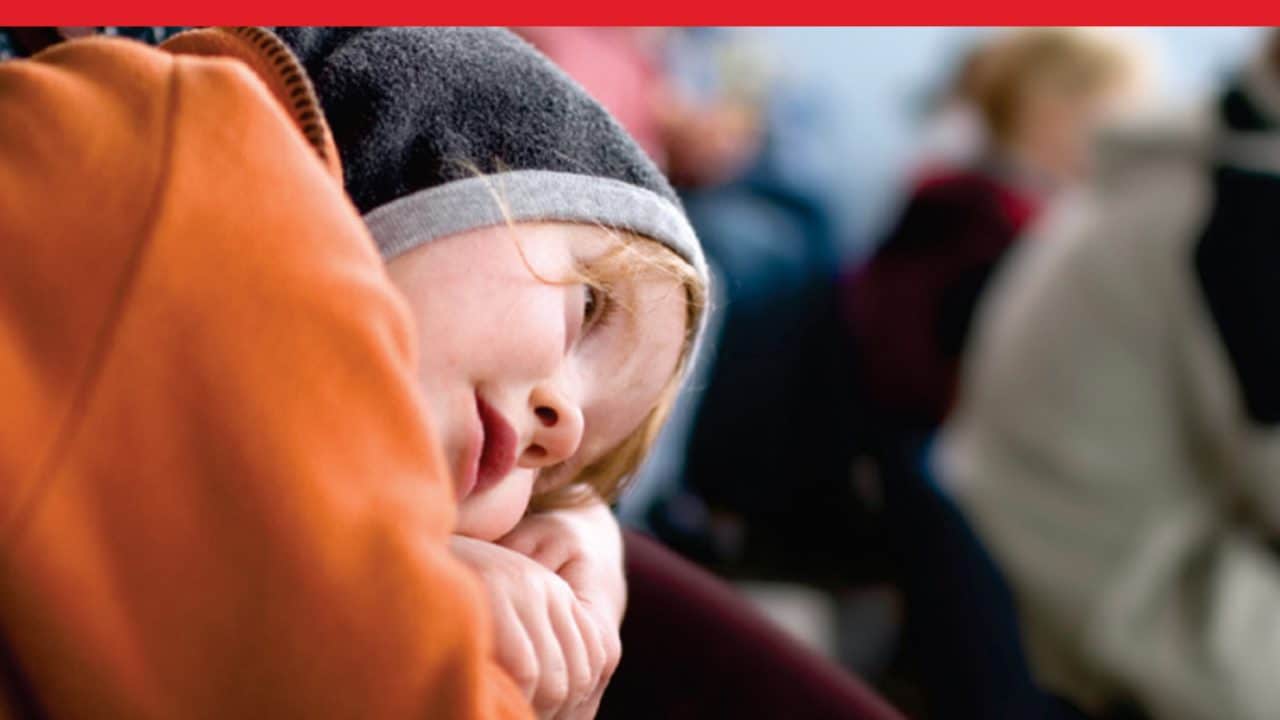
{"points": [[220, 494]]}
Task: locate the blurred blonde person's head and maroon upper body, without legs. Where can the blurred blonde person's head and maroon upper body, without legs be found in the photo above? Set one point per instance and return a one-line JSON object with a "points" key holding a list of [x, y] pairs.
{"points": [[1040, 94]]}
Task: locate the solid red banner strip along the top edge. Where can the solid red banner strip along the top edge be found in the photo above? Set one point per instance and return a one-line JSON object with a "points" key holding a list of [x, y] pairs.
{"points": [[644, 13]]}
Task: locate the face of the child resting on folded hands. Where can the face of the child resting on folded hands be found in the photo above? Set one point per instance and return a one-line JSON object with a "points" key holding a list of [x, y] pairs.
{"points": [[527, 370]]}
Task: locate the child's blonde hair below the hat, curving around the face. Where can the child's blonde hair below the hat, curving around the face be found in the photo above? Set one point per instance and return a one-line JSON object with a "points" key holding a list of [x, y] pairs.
{"points": [[607, 476]]}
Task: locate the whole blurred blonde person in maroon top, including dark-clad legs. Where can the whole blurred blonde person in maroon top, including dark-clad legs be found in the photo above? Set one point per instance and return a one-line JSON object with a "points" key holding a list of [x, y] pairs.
{"points": [[1037, 98]]}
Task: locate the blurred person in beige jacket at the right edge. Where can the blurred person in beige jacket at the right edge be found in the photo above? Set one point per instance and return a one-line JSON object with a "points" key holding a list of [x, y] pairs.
{"points": [[1117, 439]]}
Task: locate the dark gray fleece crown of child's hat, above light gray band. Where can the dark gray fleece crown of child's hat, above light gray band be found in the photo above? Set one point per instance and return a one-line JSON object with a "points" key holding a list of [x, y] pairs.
{"points": [[414, 108]]}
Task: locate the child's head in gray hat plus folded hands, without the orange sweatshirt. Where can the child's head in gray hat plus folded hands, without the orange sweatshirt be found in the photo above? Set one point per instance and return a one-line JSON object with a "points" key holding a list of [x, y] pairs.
{"points": [[557, 290]]}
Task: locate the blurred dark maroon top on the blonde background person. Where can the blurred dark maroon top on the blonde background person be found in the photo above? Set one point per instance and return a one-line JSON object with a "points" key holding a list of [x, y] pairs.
{"points": [[911, 307]]}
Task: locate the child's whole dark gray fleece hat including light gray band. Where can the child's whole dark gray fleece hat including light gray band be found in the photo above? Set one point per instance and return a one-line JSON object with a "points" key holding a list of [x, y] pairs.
{"points": [[449, 130]]}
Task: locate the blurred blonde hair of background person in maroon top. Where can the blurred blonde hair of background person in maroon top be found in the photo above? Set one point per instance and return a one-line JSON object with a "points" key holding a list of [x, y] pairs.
{"points": [[1072, 61]]}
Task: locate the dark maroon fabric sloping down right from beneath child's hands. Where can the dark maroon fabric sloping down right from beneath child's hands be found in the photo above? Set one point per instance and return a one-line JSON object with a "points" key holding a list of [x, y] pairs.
{"points": [[693, 649]]}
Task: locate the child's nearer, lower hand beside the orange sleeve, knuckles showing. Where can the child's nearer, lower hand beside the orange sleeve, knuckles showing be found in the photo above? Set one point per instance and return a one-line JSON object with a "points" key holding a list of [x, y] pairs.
{"points": [[547, 640]]}
